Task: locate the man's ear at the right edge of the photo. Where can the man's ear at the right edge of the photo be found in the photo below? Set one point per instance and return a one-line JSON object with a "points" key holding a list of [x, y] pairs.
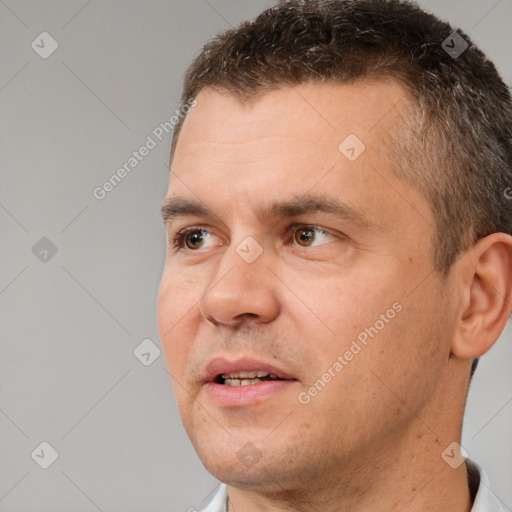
{"points": [[486, 278]]}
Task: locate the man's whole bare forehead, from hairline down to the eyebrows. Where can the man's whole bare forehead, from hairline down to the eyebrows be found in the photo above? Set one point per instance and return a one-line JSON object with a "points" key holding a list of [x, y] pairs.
{"points": [[292, 141]]}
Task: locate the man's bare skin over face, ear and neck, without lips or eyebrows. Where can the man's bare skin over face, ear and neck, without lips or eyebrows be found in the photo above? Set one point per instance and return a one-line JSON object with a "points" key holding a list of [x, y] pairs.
{"points": [[372, 439]]}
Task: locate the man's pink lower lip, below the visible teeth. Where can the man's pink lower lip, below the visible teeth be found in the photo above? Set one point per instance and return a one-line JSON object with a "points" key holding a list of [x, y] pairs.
{"points": [[236, 396]]}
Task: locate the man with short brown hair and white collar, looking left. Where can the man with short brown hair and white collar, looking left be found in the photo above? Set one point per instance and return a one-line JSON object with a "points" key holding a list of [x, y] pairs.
{"points": [[339, 256]]}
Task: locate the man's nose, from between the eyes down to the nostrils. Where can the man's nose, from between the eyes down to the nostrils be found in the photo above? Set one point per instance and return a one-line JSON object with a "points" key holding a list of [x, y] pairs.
{"points": [[241, 291]]}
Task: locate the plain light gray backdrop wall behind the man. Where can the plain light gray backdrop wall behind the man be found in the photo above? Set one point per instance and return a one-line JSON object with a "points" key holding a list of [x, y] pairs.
{"points": [[69, 325]]}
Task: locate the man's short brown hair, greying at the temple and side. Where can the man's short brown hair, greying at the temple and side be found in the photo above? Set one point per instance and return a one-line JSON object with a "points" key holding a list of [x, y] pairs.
{"points": [[455, 147]]}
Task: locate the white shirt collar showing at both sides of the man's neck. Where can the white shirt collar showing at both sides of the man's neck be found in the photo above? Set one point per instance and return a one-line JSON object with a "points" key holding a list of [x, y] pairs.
{"points": [[485, 499]]}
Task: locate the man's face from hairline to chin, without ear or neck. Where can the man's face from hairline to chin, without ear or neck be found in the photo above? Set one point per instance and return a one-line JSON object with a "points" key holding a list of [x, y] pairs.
{"points": [[307, 290]]}
